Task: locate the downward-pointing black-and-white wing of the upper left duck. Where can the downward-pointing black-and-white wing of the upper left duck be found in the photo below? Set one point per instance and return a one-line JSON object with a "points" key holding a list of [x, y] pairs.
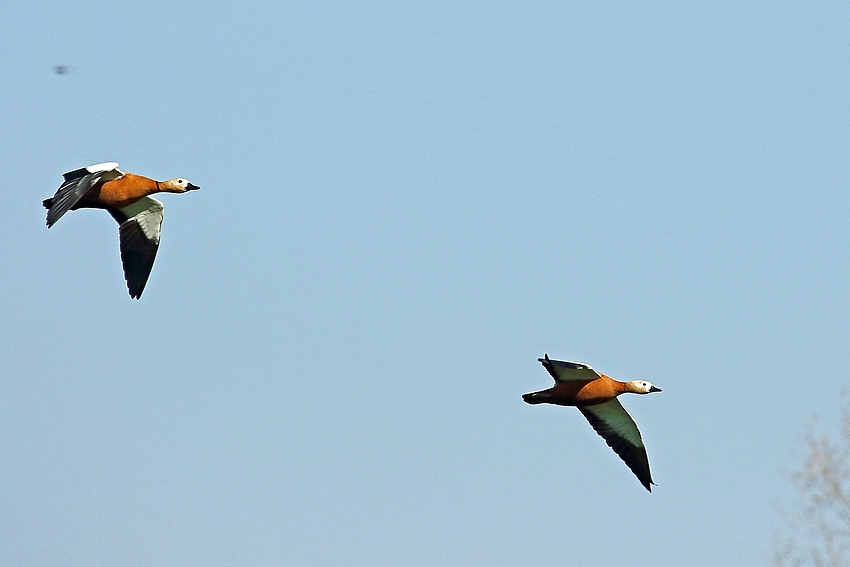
{"points": [[140, 225]]}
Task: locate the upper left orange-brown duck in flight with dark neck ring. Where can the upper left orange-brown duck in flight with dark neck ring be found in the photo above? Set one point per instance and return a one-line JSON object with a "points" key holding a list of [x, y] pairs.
{"points": [[127, 197]]}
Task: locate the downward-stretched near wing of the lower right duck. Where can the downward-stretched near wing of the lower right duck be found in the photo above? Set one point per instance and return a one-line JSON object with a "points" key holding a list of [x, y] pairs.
{"points": [[614, 424]]}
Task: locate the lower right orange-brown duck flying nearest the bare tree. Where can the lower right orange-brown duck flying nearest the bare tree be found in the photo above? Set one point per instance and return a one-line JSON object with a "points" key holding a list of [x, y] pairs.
{"points": [[595, 396]]}
